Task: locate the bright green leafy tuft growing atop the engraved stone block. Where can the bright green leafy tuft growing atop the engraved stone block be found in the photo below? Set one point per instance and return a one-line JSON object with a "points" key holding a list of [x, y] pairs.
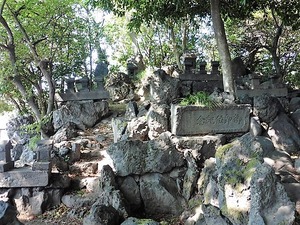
{"points": [[200, 99]]}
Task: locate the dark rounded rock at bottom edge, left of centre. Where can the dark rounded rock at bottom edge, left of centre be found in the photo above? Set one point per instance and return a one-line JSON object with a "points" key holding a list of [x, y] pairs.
{"points": [[102, 215]]}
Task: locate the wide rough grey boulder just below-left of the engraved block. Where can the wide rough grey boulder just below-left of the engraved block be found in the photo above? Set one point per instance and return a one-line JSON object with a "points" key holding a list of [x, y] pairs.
{"points": [[137, 157]]}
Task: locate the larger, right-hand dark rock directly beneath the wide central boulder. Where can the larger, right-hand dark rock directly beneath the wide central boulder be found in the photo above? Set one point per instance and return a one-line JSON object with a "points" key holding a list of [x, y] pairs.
{"points": [[161, 195]]}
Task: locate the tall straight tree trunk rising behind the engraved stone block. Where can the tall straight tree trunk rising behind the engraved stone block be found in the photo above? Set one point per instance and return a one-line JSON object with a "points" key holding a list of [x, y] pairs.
{"points": [[219, 31]]}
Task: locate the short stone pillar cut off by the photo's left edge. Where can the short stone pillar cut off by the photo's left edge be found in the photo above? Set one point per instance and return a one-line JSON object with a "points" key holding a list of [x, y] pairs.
{"points": [[6, 163]]}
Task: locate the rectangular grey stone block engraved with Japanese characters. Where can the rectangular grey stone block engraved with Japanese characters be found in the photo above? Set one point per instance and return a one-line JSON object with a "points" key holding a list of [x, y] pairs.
{"points": [[193, 120]]}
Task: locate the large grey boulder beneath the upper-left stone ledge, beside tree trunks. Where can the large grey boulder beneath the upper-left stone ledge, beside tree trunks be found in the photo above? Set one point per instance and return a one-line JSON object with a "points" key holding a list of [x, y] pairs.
{"points": [[82, 113]]}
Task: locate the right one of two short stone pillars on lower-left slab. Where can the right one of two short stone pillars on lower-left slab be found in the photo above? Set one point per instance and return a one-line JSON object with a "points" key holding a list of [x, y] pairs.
{"points": [[43, 157]]}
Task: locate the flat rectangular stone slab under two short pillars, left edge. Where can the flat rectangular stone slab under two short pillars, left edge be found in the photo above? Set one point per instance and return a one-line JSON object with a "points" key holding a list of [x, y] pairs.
{"points": [[24, 177]]}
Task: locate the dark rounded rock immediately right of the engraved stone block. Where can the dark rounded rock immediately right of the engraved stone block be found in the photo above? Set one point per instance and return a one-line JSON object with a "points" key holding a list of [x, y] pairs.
{"points": [[266, 108]]}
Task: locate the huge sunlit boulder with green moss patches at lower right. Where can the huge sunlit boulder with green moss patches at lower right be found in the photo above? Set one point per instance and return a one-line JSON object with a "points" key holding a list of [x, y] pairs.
{"points": [[242, 187]]}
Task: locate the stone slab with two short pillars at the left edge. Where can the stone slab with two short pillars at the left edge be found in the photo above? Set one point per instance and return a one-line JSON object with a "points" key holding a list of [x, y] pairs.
{"points": [[36, 176]]}
